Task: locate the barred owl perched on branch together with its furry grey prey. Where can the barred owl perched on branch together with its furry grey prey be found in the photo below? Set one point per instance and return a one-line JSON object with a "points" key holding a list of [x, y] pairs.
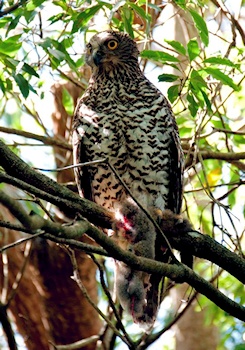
{"points": [[124, 118]]}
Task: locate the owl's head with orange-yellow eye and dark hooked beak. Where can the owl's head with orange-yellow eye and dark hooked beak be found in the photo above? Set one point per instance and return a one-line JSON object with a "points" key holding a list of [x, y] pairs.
{"points": [[110, 48]]}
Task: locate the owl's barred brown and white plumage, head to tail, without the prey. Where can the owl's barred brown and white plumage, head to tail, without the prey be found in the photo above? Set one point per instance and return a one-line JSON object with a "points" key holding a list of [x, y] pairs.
{"points": [[123, 117]]}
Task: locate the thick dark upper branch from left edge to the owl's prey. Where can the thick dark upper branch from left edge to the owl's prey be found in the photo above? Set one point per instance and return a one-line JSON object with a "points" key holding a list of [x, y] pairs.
{"points": [[47, 189]]}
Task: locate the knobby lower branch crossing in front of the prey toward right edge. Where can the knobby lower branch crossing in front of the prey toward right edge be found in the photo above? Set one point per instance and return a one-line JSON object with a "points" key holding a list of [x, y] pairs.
{"points": [[176, 272]]}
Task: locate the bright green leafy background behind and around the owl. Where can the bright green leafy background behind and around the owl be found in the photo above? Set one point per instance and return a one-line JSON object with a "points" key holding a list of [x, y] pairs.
{"points": [[199, 64]]}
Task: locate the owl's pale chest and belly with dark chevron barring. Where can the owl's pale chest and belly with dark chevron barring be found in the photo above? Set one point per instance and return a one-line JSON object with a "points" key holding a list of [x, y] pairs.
{"points": [[133, 134]]}
